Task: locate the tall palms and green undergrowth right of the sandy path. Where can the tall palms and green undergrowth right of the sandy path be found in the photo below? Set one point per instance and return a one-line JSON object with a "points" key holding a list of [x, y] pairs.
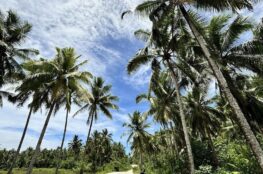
{"points": [[205, 89]]}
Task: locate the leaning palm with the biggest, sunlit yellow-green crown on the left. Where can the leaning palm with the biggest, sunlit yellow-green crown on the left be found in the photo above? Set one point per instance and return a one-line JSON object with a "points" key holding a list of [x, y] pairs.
{"points": [[61, 75]]}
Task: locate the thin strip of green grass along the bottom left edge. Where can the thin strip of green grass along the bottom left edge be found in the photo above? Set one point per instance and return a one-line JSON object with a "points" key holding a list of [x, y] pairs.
{"points": [[40, 171]]}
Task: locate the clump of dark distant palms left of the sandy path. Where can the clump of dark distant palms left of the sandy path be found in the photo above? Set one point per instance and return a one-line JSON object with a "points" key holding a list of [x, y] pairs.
{"points": [[100, 150]]}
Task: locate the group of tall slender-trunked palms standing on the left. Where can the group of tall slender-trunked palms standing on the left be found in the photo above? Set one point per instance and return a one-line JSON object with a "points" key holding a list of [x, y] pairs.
{"points": [[49, 83]]}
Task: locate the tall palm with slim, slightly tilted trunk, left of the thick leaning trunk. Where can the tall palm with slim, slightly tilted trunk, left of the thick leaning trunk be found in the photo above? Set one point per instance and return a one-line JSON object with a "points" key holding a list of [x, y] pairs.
{"points": [[161, 44]]}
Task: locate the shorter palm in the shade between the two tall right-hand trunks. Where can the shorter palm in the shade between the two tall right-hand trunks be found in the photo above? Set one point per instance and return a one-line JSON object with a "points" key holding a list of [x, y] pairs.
{"points": [[205, 119]]}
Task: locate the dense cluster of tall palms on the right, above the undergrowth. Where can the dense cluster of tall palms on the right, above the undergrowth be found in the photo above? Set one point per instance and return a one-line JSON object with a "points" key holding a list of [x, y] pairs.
{"points": [[187, 55]]}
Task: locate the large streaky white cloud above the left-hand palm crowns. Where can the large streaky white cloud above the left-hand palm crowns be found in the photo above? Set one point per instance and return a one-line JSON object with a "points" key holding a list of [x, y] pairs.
{"points": [[80, 24]]}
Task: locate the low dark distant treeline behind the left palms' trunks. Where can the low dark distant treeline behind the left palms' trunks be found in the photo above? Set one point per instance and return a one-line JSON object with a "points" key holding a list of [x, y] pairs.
{"points": [[98, 154]]}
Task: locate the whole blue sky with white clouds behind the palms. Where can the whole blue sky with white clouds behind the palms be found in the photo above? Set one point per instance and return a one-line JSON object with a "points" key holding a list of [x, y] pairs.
{"points": [[95, 30]]}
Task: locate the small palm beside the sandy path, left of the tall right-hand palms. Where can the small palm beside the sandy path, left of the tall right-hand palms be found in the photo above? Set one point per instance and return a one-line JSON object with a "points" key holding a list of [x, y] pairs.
{"points": [[138, 136]]}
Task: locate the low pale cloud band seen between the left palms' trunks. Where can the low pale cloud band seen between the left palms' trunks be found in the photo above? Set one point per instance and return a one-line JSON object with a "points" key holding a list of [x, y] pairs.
{"points": [[13, 120]]}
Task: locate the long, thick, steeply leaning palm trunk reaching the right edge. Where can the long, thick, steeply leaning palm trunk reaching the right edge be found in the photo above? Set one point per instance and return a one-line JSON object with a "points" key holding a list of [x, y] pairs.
{"points": [[210, 57]]}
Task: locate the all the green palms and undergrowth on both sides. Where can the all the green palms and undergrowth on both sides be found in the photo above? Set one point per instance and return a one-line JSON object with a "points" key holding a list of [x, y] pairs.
{"points": [[204, 101]]}
